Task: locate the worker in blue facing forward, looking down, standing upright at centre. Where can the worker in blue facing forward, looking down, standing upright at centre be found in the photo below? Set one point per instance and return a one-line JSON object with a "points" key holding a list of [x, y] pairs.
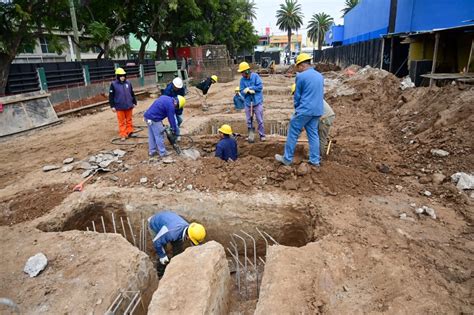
{"points": [[251, 86]]}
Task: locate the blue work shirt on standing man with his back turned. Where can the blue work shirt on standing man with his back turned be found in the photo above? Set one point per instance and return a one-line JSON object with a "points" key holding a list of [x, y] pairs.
{"points": [[309, 93]]}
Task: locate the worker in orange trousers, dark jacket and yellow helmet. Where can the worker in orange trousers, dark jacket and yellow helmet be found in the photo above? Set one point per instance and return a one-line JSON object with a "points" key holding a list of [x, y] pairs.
{"points": [[122, 101]]}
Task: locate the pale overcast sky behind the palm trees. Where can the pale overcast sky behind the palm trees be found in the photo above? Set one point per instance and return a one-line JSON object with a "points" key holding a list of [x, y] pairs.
{"points": [[266, 11]]}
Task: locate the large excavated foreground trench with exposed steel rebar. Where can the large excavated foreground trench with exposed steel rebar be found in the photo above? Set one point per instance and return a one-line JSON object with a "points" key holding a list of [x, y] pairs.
{"points": [[287, 223]]}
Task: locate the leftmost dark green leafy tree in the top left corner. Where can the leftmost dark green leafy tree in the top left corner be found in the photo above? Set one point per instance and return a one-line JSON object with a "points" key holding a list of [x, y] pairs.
{"points": [[22, 22]]}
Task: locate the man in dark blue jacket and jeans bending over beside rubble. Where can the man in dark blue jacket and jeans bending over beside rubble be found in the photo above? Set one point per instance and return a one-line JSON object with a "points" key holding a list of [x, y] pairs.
{"points": [[163, 107]]}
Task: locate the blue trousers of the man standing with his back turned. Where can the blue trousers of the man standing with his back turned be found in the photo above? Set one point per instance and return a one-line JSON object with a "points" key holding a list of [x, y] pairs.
{"points": [[297, 123]]}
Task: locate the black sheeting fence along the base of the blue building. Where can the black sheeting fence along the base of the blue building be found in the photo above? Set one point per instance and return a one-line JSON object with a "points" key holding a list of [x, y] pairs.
{"points": [[362, 54]]}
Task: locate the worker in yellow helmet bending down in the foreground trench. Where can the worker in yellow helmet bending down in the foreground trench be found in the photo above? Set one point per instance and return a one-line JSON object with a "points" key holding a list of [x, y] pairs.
{"points": [[168, 227]]}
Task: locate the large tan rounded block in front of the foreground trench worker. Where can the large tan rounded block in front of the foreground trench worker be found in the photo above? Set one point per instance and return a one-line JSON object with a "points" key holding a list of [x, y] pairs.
{"points": [[195, 282]]}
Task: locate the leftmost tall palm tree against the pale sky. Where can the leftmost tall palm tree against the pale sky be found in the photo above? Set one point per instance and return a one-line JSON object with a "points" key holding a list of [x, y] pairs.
{"points": [[289, 17]]}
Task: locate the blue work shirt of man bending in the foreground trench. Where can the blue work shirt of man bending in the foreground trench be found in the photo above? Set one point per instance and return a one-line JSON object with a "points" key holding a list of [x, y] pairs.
{"points": [[169, 227]]}
